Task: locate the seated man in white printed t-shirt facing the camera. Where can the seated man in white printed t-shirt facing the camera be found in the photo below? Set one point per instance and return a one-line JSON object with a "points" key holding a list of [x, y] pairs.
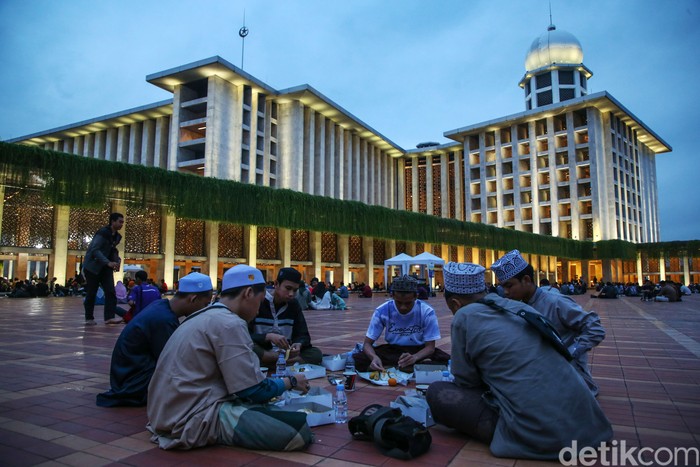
{"points": [[410, 329]]}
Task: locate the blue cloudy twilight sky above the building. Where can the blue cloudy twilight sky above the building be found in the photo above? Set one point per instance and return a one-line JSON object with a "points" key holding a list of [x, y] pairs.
{"points": [[411, 69]]}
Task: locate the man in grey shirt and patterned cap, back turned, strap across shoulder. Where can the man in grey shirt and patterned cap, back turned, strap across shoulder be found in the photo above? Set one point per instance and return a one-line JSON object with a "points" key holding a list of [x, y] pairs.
{"points": [[512, 390]]}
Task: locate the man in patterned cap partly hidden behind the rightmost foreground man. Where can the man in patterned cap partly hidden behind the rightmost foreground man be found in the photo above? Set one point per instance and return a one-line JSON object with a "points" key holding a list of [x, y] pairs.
{"points": [[580, 330]]}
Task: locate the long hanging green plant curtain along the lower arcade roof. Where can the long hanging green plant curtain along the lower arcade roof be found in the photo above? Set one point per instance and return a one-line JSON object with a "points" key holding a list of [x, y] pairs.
{"points": [[72, 180]]}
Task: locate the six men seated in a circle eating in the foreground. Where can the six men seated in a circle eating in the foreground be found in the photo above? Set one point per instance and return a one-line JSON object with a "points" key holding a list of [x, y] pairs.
{"points": [[200, 378]]}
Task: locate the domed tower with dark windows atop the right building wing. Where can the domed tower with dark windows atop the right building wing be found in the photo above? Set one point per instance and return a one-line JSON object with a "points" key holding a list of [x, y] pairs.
{"points": [[554, 69]]}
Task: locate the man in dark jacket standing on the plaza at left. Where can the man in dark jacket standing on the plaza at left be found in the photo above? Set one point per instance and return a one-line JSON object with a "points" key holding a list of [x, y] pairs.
{"points": [[101, 260]]}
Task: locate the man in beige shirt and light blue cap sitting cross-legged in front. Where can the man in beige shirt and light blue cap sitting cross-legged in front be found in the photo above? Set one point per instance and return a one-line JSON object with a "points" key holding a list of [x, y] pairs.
{"points": [[208, 379]]}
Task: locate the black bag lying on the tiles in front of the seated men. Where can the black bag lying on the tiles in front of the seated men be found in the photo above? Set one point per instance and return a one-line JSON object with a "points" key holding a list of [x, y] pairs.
{"points": [[396, 435]]}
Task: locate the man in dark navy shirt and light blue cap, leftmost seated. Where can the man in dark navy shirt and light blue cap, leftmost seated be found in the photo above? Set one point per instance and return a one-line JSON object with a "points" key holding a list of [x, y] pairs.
{"points": [[142, 340]]}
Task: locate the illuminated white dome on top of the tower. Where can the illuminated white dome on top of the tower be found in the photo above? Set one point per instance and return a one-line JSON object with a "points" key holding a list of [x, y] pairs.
{"points": [[554, 46]]}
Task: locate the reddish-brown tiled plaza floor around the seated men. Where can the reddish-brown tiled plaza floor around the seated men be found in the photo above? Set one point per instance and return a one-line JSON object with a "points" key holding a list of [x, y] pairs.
{"points": [[51, 367]]}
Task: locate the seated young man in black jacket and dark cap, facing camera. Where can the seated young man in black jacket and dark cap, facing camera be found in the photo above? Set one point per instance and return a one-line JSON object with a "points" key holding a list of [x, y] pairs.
{"points": [[281, 324]]}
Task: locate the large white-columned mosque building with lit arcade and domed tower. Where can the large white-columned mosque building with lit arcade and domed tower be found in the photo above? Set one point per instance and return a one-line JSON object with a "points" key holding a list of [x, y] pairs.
{"points": [[572, 165]]}
